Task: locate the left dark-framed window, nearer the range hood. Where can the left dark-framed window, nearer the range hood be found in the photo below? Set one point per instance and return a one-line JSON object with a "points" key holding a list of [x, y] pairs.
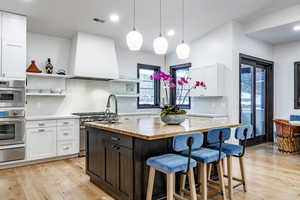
{"points": [[149, 90]]}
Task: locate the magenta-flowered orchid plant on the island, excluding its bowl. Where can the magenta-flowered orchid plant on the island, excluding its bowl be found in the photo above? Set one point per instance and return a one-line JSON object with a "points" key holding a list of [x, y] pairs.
{"points": [[184, 83]]}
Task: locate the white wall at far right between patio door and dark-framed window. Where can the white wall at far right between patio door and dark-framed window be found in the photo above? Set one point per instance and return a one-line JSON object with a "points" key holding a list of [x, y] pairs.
{"points": [[284, 56]]}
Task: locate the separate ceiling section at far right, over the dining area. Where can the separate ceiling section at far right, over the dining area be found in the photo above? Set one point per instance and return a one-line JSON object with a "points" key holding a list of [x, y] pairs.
{"points": [[278, 34]]}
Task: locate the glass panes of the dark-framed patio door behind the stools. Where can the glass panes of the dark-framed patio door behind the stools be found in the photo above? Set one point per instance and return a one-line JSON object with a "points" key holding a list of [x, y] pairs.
{"points": [[253, 98]]}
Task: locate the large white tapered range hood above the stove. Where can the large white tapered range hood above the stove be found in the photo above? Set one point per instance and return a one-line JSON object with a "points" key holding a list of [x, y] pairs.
{"points": [[94, 57]]}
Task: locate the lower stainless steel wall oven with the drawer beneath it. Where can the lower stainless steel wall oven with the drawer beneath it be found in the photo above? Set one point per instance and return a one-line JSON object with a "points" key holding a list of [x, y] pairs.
{"points": [[12, 129]]}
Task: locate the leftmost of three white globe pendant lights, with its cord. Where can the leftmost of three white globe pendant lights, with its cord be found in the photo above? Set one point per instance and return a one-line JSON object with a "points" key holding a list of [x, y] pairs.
{"points": [[134, 38]]}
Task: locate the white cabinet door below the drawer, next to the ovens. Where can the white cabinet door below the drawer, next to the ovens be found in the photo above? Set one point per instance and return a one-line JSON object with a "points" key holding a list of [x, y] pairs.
{"points": [[41, 143]]}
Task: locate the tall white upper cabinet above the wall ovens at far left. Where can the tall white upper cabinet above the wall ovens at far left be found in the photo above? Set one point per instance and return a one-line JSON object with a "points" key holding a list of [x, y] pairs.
{"points": [[13, 48]]}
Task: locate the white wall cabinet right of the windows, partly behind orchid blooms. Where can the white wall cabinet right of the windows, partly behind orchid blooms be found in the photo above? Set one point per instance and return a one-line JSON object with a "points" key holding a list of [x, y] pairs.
{"points": [[213, 76]]}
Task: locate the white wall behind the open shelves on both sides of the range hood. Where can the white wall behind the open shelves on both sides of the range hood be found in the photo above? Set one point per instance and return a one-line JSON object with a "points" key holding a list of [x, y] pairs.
{"points": [[82, 95]]}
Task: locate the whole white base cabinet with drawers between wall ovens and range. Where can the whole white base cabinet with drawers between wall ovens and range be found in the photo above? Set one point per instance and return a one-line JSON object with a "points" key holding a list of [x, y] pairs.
{"points": [[51, 138]]}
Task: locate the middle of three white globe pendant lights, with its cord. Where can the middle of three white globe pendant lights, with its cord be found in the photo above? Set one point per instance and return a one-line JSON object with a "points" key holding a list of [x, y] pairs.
{"points": [[160, 44]]}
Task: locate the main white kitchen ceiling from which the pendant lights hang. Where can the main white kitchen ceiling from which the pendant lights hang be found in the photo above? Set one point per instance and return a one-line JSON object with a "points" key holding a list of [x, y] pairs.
{"points": [[65, 17]]}
